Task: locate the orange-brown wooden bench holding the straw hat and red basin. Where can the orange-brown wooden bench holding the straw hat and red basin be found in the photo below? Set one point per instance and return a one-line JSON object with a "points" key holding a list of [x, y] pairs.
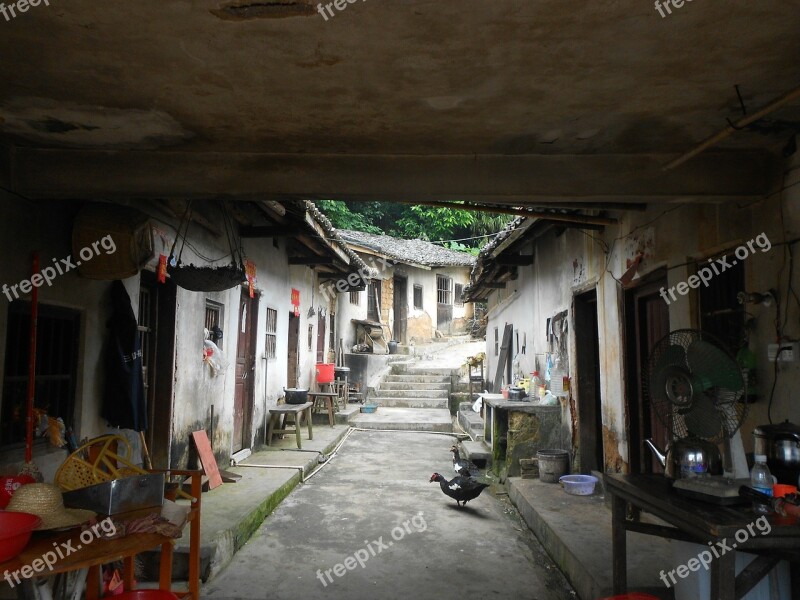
{"points": [[92, 555]]}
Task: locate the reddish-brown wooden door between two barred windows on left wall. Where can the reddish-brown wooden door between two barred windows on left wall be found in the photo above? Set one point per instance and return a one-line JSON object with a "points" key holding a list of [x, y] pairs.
{"points": [[245, 370]]}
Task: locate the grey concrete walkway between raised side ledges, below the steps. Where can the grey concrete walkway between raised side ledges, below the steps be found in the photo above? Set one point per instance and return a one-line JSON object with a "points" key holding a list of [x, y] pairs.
{"points": [[373, 503]]}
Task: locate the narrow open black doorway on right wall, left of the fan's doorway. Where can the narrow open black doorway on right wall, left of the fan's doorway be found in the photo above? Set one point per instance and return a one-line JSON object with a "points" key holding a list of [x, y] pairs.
{"points": [[590, 423]]}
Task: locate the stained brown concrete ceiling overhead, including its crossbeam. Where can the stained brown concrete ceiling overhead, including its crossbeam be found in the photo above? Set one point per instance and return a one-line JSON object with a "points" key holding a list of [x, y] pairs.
{"points": [[511, 101]]}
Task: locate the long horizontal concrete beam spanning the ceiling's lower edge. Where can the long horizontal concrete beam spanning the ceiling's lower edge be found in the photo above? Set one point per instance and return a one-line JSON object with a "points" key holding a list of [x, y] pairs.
{"points": [[518, 179]]}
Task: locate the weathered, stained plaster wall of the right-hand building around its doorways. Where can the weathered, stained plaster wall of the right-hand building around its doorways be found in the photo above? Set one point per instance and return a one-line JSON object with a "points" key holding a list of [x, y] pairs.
{"points": [[672, 237]]}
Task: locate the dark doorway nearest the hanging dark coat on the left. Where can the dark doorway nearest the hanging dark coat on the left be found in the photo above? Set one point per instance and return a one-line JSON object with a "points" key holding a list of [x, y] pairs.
{"points": [[157, 302]]}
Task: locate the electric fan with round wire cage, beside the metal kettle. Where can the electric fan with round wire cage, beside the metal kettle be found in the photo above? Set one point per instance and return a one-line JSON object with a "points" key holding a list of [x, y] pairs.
{"points": [[696, 390]]}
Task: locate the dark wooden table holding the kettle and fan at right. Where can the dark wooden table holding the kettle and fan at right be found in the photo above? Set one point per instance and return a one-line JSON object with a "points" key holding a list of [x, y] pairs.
{"points": [[701, 523]]}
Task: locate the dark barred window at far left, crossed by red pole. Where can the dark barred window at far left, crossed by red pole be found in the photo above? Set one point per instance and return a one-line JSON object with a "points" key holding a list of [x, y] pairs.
{"points": [[57, 334]]}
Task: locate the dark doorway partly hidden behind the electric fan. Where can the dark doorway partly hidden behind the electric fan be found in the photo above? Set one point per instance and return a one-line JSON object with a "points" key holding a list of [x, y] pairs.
{"points": [[646, 322]]}
